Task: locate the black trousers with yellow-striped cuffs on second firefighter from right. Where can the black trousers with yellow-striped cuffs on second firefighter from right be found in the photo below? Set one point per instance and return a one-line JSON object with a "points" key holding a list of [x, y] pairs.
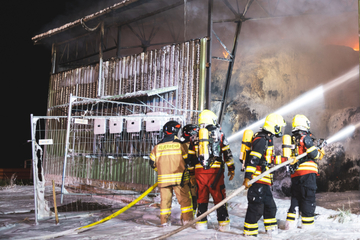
{"points": [[260, 203]]}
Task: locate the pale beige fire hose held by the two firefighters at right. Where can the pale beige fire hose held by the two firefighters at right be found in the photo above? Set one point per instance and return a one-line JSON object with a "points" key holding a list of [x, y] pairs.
{"points": [[236, 192]]}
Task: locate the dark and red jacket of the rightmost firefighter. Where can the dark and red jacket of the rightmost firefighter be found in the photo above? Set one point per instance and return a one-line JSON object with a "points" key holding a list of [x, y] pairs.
{"points": [[304, 143]]}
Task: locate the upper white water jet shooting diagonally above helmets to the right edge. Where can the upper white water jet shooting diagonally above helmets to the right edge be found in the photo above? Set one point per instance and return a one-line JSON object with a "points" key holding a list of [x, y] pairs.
{"points": [[303, 100]]}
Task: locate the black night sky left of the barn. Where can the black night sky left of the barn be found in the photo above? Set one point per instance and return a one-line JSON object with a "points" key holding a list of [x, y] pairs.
{"points": [[26, 67]]}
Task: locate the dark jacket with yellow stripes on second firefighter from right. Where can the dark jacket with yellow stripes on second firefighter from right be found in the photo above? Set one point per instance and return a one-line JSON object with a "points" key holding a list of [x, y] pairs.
{"points": [[261, 157]]}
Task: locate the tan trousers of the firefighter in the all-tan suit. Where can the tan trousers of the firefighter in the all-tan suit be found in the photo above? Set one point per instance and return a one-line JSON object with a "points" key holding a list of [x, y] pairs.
{"points": [[183, 196]]}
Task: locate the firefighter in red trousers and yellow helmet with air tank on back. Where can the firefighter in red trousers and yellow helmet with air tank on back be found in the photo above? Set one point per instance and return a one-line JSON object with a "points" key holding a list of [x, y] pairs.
{"points": [[208, 156]]}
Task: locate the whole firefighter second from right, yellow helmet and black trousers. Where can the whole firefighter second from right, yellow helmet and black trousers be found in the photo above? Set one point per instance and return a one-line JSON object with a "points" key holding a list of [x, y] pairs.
{"points": [[260, 159]]}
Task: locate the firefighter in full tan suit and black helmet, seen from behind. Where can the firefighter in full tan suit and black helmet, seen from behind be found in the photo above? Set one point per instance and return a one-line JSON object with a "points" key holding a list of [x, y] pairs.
{"points": [[168, 159]]}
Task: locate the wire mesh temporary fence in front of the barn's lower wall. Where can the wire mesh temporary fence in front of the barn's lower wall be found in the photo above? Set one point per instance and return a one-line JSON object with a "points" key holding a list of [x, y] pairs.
{"points": [[96, 145]]}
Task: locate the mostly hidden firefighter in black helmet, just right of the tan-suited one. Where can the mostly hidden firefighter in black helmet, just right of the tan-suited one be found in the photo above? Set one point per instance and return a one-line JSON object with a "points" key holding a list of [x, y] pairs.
{"points": [[189, 134]]}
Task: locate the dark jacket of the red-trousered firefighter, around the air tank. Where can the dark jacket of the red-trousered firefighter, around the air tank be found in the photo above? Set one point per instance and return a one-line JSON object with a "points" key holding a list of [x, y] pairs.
{"points": [[225, 156]]}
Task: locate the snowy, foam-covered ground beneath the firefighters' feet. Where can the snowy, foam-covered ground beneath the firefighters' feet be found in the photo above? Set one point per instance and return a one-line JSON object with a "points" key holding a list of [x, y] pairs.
{"points": [[140, 222]]}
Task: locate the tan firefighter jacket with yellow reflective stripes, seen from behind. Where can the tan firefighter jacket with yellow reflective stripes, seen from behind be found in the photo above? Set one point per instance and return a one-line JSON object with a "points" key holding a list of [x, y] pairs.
{"points": [[168, 159]]}
